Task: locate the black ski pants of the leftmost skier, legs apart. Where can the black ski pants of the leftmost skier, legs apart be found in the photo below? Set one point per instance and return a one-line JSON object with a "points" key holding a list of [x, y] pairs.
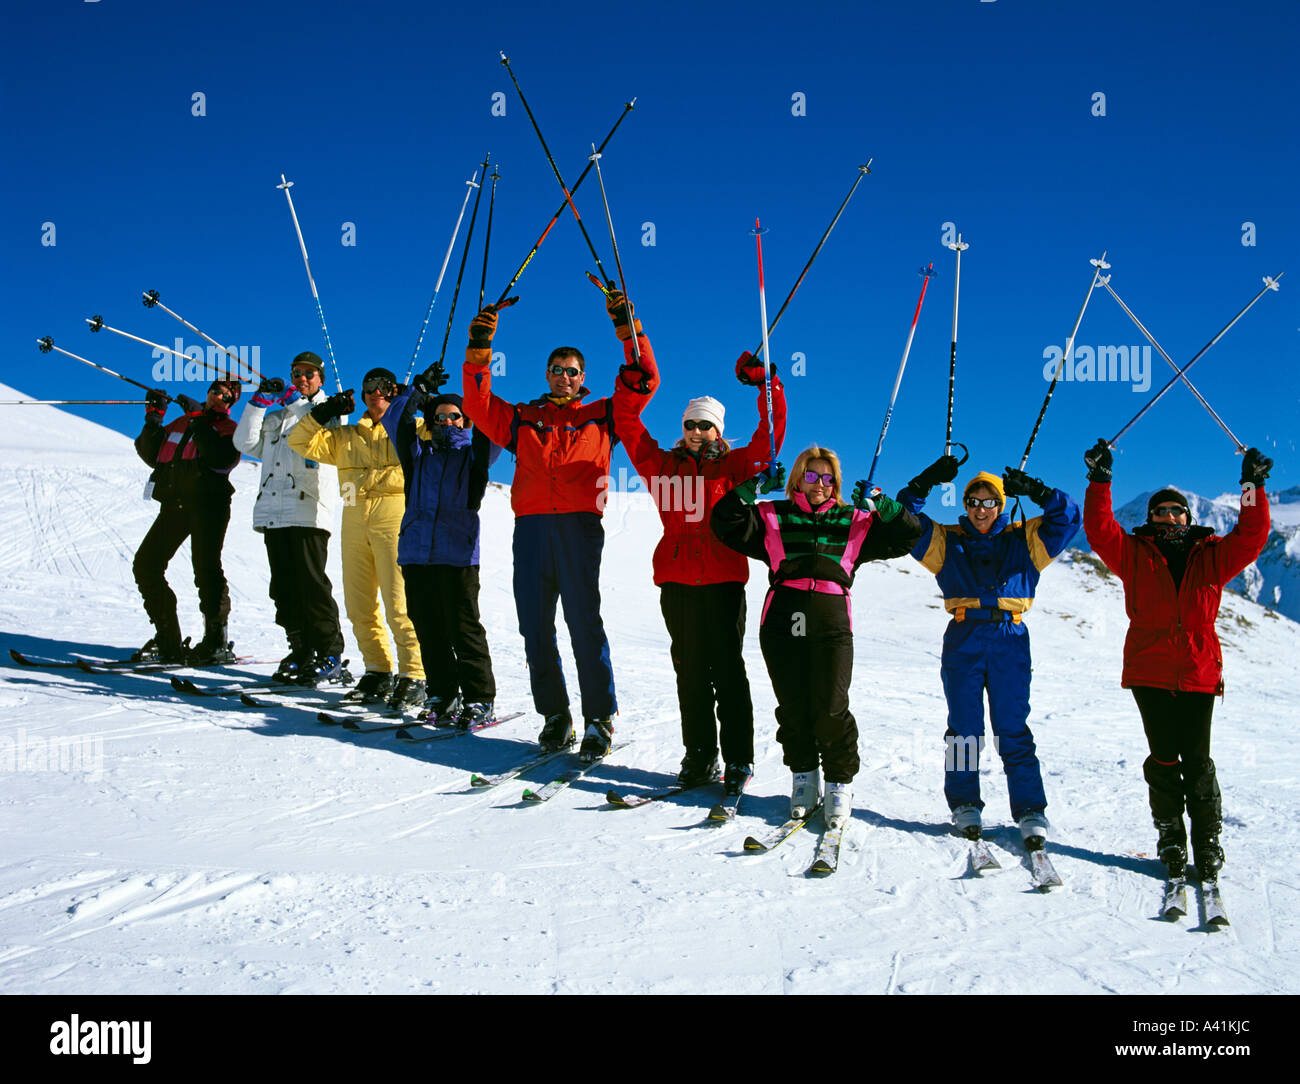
{"points": [[206, 528]]}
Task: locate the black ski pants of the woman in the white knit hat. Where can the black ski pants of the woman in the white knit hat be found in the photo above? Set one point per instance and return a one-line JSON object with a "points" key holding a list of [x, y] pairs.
{"points": [[707, 627]]}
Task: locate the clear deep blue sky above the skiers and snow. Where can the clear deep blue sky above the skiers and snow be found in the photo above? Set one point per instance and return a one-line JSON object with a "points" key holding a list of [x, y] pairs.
{"points": [[982, 115]]}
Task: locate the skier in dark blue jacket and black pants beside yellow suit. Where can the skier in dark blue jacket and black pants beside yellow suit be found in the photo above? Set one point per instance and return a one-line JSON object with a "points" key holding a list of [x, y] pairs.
{"points": [[445, 467]]}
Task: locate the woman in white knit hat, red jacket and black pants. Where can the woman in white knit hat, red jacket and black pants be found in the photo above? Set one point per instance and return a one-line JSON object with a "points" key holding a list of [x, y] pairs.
{"points": [[703, 582]]}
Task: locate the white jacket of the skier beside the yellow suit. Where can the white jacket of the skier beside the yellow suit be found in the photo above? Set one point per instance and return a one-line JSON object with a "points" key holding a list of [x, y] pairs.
{"points": [[294, 492]]}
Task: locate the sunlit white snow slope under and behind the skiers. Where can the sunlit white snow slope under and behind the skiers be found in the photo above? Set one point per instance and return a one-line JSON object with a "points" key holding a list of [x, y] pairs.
{"points": [[206, 848]]}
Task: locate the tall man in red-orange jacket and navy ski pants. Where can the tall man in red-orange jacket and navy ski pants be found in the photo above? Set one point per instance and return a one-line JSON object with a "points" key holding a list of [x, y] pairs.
{"points": [[562, 444]]}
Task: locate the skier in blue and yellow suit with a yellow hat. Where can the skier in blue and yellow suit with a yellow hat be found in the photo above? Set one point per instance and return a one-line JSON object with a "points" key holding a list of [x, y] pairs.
{"points": [[989, 571]]}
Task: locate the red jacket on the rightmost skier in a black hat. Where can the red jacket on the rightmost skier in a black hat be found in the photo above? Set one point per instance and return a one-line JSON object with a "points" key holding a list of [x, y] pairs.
{"points": [[1172, 643]]}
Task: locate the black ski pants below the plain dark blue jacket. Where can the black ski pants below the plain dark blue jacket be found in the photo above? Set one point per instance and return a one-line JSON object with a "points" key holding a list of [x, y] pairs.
{"points": [[443, 602]]}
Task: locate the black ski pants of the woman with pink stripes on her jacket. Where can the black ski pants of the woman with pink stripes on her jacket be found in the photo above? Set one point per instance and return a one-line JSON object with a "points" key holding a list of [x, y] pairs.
{"points": [[808, 645]]}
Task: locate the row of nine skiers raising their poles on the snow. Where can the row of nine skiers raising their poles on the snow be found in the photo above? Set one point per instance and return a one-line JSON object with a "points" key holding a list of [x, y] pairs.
{"points": [[413, 472]]}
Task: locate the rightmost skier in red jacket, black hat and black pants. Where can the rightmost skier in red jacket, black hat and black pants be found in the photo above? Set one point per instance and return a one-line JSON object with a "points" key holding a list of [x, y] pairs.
{"points": [[1175, 574]]}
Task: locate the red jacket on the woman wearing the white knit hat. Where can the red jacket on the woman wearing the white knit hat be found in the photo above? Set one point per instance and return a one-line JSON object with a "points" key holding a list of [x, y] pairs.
{"points": [[686, 489]]}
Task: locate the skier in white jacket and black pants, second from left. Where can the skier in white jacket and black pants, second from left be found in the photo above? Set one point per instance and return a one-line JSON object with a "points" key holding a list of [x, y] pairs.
{"points": [[296, 511]]}
